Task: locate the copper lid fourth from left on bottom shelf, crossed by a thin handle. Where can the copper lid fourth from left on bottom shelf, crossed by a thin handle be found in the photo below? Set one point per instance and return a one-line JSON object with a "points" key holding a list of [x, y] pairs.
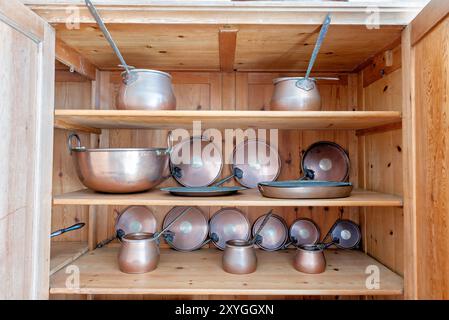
{"points": [[274, 234]]}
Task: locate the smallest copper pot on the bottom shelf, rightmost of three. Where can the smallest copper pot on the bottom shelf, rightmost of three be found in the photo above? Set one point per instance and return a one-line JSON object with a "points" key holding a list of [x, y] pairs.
{"points": [[310, 259]]}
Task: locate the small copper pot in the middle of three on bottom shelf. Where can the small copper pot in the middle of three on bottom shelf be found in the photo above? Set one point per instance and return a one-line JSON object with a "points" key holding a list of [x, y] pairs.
{"points": [[239, 257]]}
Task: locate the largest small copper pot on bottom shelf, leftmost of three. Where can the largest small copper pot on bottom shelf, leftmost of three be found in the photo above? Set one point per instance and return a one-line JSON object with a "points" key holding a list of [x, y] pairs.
{"points": [[139, 253]]}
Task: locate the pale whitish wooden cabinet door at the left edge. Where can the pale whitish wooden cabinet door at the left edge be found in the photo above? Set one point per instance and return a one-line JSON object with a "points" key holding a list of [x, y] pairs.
{"points": [[26, 103]]}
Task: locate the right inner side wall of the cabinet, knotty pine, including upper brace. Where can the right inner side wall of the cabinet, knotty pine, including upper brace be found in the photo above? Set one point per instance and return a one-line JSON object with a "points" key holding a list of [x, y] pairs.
{"points": [[380, 161]]}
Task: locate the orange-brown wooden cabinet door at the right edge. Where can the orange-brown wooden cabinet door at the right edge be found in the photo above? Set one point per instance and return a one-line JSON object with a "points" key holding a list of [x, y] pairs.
{"points": [[431, 65]]}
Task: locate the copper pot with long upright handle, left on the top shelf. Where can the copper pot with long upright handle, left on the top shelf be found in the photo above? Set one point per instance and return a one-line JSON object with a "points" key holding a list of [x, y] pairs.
{"points": [[140, 89]]}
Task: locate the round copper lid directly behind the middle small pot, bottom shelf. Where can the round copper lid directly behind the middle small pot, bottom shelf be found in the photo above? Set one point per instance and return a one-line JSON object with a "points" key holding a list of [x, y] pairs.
{"points": [[228, 224]]}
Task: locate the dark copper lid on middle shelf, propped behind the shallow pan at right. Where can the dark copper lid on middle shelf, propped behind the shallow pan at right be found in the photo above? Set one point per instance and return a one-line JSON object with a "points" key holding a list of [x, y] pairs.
{"points": [[327, 160]]}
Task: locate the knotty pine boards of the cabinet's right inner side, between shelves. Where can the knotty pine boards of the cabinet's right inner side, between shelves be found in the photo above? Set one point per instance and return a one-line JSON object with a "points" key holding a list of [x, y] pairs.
{"points": [[383, 227]]}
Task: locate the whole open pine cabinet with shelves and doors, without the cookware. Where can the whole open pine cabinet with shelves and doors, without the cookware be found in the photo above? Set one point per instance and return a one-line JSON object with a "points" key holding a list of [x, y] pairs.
{"points": [[388, 110]]}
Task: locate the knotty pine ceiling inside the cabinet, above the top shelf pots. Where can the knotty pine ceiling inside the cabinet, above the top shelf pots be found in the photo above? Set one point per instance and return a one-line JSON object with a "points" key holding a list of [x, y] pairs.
{"points": [[257, 47]]}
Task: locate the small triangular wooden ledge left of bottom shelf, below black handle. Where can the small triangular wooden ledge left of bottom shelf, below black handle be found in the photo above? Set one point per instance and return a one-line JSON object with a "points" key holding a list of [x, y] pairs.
{"points": [[63, 253]]}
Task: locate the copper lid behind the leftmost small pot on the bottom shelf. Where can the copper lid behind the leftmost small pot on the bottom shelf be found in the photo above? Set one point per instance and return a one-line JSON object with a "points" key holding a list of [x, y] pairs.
{"points": [[136, 219]]}
